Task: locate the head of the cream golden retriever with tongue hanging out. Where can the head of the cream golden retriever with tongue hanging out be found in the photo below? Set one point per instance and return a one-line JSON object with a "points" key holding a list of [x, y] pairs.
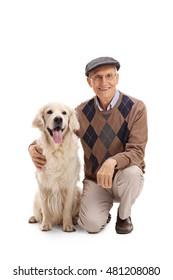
{"points": [[56, 119]]}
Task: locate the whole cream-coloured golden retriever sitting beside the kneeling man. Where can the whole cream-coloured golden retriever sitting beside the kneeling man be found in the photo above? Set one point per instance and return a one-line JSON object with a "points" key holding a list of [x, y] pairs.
{"points": [[58, 198]]}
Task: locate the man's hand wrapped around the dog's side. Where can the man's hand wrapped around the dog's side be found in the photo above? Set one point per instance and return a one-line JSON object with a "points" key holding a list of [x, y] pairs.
{"points": [[37, 157]]}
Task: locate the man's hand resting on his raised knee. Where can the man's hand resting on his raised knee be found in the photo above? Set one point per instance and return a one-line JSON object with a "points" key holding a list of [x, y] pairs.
{"points": [[106, 172]]}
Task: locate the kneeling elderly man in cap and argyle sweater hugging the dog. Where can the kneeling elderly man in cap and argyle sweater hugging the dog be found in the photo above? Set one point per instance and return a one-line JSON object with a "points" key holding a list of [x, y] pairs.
{"points": [[113, 133]]}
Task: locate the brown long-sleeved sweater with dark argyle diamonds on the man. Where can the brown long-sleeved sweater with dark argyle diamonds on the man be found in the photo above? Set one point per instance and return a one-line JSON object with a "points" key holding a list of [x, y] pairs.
{"points": [[119, 133]]}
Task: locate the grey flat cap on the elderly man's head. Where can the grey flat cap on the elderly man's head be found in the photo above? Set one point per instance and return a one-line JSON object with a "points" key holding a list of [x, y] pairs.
{"points": [[100, 61]]}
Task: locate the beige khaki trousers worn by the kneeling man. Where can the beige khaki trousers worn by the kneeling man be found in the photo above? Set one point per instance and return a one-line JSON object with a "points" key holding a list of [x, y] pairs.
{"points": [[96, 201]]}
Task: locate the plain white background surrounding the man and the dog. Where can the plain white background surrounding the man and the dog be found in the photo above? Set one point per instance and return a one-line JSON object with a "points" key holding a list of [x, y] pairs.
{"points": [[44, 47]]}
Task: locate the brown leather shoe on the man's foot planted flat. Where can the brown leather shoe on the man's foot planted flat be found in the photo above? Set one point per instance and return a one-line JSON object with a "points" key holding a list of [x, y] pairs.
{"points": [[123, 226]]}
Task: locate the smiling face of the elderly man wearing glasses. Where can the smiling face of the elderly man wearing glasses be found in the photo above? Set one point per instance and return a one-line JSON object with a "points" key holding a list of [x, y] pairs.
{"points": [[103, 80]]}
